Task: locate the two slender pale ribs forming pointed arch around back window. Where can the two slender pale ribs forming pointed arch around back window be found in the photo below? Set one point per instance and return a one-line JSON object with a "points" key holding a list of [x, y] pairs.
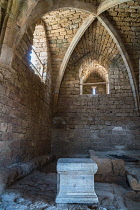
{"points": [[113, 33]]}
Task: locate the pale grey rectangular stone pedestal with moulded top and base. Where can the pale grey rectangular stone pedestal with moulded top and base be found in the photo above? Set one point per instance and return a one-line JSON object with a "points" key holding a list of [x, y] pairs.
{"points": [[76, 180]]}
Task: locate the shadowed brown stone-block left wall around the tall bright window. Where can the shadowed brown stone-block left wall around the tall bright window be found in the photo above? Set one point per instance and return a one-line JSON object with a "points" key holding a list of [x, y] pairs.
{"points": [[25, 108]]}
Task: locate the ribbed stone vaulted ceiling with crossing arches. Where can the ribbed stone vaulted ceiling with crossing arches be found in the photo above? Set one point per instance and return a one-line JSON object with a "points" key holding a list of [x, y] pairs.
{"points": [[98, 29]]}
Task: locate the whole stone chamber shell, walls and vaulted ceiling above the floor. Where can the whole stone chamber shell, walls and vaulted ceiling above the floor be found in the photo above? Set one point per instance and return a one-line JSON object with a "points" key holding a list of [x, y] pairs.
{"points": [[48, 107]]}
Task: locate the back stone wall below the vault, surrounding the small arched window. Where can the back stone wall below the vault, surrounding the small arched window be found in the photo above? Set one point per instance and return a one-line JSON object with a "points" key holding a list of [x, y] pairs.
{"points": [[100, 122]]}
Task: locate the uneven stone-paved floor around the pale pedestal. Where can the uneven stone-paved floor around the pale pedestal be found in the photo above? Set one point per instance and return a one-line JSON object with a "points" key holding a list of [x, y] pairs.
{"points": [[37, 191]]}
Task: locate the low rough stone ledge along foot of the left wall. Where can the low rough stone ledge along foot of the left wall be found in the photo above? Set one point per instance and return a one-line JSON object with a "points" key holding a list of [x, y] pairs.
{"points": [[14, 172]]}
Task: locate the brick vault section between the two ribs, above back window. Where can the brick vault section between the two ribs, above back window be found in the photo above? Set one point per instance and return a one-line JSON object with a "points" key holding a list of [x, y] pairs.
{"points": [[96, 41]]}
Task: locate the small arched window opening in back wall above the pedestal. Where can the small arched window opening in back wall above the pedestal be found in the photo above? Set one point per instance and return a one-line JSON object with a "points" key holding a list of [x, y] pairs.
{"points": [[93, 78]]}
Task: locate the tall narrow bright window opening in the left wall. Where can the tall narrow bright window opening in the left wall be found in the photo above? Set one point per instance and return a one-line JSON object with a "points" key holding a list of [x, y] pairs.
{"points": [[38, 54]]}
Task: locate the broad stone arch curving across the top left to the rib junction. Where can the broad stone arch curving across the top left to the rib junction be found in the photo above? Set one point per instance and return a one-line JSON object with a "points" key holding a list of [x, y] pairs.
{"points": [[38, 8]]}
